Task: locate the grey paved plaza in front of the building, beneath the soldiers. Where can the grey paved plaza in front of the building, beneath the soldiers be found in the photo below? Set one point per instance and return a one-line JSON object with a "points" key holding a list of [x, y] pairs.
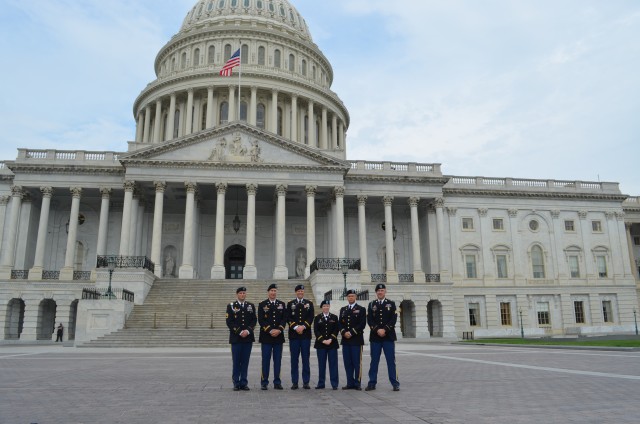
{"points": [[441, 383]]}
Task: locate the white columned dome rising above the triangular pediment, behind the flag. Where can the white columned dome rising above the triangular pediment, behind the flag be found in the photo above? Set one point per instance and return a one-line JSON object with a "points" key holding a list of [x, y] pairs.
{"points": [[285, 87]]}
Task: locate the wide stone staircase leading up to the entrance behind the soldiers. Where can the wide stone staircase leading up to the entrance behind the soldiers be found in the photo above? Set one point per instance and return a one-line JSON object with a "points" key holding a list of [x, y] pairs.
{"points": [[188, 313]]}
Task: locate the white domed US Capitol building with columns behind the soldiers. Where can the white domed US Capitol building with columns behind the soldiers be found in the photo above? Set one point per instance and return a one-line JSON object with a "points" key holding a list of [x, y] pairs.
{"points": [[223, 184]]}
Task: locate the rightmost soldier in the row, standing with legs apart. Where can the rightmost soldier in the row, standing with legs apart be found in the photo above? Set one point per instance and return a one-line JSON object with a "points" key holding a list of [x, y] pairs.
{"points": [[381, 317]]}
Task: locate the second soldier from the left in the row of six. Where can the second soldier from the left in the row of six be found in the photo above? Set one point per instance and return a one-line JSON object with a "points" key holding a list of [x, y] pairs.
{"points": [[272, 317]]}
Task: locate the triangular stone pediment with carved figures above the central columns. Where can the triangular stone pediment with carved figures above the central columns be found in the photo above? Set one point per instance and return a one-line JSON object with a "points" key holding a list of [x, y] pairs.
{"points": [[233, 144]]}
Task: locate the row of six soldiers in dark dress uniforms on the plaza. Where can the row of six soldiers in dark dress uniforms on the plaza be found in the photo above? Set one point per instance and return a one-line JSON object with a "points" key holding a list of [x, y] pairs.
{"points": [[273, 316]]}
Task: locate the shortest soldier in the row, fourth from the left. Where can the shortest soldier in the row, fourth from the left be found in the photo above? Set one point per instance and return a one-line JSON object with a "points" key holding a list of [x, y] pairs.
{"points": [[326, 327]]}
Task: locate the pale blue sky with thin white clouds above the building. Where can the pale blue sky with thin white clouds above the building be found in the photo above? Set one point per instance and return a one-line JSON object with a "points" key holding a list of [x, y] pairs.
{"points": [[543, 89]]}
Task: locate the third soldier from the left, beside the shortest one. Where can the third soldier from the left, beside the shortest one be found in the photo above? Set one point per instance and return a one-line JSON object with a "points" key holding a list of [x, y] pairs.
{"points": [[300, 317]]}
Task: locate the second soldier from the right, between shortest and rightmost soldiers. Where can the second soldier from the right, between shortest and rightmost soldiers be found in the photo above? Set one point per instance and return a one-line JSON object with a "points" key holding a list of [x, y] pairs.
{"points": [[353, 320]]}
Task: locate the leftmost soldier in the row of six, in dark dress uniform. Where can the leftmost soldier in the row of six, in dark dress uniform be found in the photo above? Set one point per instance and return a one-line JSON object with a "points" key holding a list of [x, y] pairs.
{"points": [[241, 320]]}
